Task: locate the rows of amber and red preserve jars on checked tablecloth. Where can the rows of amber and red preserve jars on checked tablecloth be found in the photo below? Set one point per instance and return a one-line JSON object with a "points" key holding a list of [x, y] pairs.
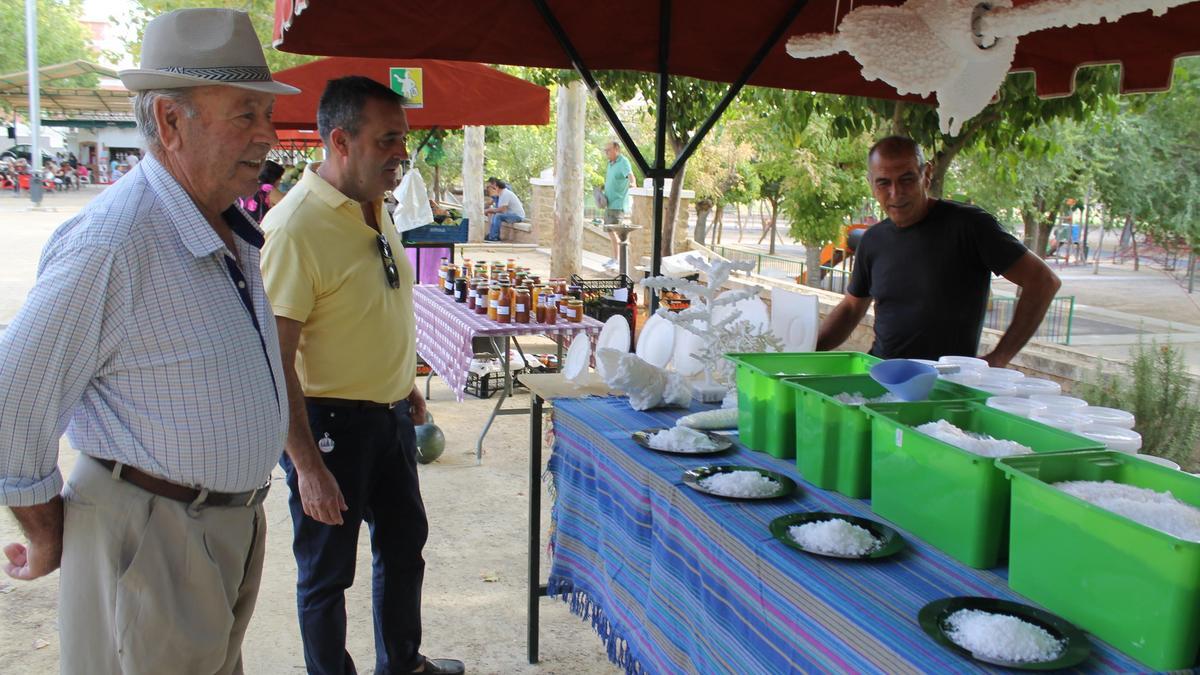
{"points": [[507, 303]]}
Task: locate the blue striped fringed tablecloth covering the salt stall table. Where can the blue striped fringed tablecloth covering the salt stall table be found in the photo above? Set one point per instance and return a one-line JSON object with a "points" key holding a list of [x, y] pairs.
{"points": [[679, 582]]}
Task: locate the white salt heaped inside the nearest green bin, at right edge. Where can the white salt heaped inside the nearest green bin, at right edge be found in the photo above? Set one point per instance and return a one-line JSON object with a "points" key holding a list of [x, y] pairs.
{"points": [[1151, 509]]}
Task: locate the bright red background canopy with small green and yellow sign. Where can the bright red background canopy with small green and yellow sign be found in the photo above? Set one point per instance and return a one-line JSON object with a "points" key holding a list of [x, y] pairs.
{"points": [[455, 93]]}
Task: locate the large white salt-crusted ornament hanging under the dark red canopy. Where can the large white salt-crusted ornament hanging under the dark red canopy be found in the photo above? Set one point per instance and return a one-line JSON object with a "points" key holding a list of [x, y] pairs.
{"points": [[958, 50]]}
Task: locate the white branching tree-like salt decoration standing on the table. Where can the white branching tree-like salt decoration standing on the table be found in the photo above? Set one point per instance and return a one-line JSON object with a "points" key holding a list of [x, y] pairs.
{"points": [[727, 336]]}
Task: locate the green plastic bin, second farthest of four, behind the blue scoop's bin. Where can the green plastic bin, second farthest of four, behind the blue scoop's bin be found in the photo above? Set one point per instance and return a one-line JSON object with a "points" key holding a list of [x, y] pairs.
{"points": [[833, 440]]}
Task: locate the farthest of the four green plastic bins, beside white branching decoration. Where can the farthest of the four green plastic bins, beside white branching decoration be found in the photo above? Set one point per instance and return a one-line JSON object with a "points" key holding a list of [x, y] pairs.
{"points": [[766, 407]]}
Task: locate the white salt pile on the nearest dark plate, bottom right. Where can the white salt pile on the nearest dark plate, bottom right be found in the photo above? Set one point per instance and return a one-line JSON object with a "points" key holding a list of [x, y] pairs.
{"points": [[1001, 637]]}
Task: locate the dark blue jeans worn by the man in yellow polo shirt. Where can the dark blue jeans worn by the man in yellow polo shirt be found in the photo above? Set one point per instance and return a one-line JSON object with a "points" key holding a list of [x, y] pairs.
{"points": [[375, 463]]}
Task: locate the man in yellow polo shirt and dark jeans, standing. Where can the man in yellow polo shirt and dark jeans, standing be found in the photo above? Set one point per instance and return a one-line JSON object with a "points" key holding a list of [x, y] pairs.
{"points": [[343, 294]]}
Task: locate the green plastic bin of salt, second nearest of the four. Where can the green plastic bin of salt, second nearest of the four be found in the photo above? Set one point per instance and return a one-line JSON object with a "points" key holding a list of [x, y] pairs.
{"points": [[955, 500]]}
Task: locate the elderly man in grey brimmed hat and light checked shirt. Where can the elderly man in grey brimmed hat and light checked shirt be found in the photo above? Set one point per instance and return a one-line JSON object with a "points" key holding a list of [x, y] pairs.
{"points": [[149, 341]]}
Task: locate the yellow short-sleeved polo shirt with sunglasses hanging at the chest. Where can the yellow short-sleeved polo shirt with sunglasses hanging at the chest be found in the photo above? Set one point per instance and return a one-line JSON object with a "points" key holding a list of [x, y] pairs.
{"points": [[323, 268]]}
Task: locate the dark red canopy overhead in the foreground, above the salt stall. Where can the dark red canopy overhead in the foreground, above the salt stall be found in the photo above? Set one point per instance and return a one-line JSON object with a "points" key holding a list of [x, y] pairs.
{"points": [[710, 39]]}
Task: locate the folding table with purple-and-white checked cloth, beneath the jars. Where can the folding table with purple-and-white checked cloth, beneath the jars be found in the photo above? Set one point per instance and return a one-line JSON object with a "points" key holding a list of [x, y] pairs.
{"points": [[446, 331]]}
